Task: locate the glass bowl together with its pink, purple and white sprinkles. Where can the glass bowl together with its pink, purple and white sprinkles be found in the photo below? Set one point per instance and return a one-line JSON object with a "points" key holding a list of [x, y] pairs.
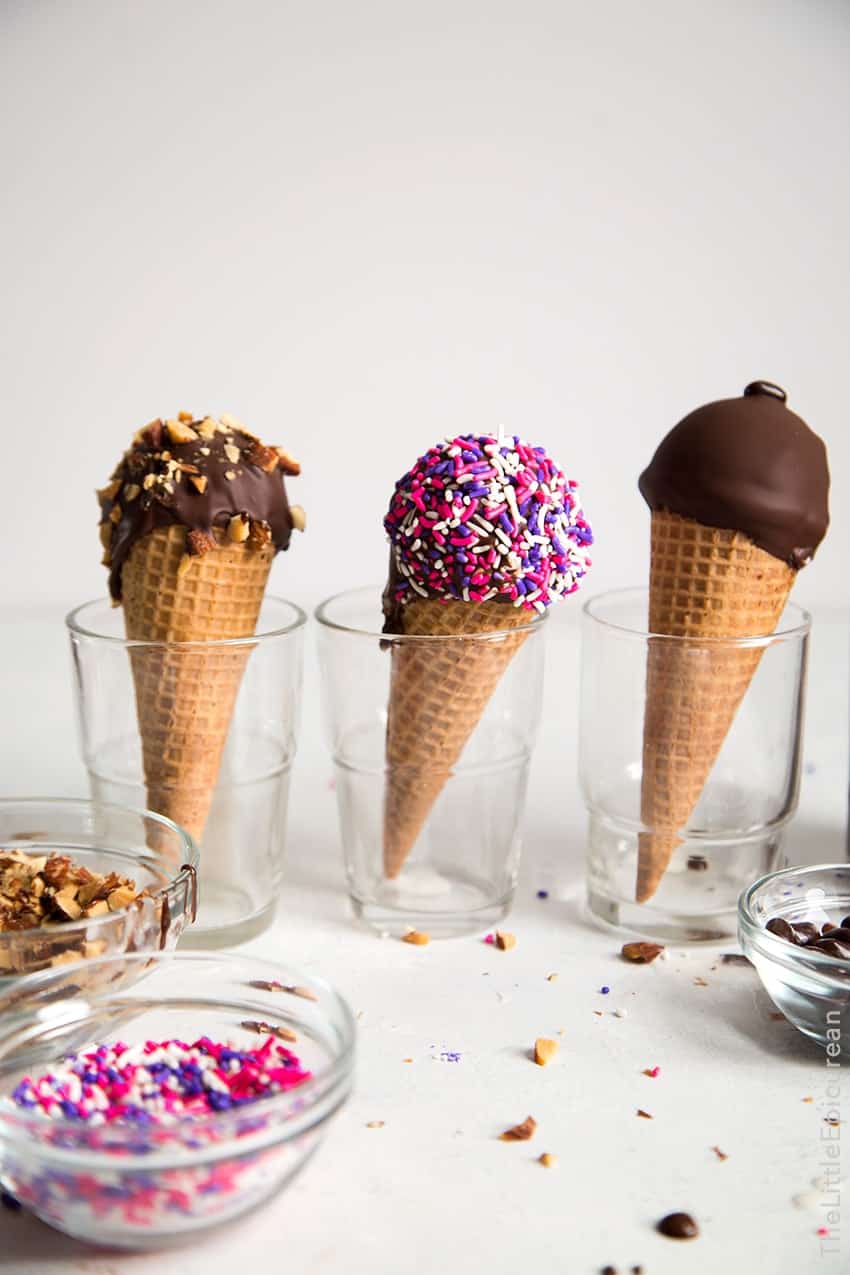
{"points": [[178, 1097]]}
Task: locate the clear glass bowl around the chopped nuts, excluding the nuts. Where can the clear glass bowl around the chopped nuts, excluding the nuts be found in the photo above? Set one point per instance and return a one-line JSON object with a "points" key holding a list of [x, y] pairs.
{"points": [[148, 849]]}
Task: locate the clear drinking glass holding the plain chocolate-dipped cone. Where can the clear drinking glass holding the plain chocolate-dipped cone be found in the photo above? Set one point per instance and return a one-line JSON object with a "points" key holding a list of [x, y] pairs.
{"points": [[735, 832]]}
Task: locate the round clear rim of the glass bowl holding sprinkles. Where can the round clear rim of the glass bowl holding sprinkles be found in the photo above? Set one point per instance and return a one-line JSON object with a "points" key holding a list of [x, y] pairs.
{"points": [[317, 1088]]}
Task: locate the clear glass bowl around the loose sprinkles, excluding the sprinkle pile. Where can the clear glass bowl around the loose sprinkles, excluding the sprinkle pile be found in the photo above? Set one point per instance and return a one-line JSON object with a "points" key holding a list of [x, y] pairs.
{"points": [[145, 1188]]}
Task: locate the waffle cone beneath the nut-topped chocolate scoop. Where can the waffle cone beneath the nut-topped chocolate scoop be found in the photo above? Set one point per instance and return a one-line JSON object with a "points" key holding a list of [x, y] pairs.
{"points": [[185, 697]]}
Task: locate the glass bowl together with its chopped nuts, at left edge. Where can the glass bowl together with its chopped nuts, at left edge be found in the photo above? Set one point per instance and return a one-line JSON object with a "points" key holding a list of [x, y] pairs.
{"points": [[81, 880]]}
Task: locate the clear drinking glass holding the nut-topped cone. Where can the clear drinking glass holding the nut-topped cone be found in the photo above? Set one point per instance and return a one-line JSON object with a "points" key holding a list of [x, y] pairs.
{"points": [[243, 843]]}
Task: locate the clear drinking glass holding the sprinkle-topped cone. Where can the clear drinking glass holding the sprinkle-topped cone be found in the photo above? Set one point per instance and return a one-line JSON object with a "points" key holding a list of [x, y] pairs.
{"points": [[461, 873]]}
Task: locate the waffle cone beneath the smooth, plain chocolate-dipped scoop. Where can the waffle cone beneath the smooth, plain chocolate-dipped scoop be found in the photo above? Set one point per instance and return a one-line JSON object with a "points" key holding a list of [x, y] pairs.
{"points": [[705, 583]]}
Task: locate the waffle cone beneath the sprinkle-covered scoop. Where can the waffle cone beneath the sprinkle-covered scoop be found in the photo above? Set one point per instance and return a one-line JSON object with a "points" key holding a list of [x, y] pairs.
{"points": [[438, 694]]}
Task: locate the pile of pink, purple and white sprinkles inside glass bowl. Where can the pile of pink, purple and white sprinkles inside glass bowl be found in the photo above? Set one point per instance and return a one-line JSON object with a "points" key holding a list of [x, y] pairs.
{"points": [[160, 1082]]}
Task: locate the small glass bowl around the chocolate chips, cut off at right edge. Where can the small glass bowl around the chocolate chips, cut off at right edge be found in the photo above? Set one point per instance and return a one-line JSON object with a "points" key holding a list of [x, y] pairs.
{"points": [[810, 987]]}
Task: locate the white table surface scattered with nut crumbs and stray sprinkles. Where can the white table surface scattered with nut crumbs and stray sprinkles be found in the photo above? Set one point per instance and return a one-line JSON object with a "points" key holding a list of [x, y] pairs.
{"points": [[434, 1190]]}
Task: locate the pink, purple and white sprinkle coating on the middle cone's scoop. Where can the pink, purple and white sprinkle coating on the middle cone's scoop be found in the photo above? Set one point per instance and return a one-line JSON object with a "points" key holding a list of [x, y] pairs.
{"points": [[481, 518]]}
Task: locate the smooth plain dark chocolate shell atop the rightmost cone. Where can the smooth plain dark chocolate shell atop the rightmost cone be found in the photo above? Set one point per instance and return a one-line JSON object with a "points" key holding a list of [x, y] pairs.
{"points": [[746, 465]]}
